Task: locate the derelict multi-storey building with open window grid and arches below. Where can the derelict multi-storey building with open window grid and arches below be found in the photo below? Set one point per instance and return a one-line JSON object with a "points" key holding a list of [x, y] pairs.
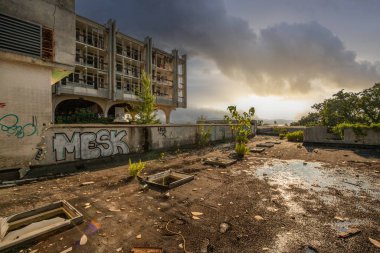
{"points": [[108, 68]]}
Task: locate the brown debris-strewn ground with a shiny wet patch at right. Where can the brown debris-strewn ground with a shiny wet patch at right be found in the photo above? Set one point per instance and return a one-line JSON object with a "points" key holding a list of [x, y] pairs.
{"points": [[290, 198]]}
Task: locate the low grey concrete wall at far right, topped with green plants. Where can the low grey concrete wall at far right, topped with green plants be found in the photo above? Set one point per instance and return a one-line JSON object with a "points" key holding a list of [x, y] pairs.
{"points": [[321, 135]]}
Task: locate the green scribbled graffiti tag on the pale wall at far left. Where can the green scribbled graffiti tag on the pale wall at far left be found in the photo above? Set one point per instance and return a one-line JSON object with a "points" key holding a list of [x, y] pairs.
{"points": [[9, 123]]}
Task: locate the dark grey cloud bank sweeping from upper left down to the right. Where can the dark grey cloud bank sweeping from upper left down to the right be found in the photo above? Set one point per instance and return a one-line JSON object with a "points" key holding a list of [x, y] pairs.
{"points": [[275, 60]]}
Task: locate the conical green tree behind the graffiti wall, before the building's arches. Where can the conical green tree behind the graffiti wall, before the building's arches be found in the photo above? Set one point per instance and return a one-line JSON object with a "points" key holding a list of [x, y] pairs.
{"points": [[146, 109]]}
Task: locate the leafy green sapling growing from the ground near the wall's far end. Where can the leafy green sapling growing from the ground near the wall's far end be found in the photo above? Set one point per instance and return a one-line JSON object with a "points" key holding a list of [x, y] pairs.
{"points": [[241, 125]]}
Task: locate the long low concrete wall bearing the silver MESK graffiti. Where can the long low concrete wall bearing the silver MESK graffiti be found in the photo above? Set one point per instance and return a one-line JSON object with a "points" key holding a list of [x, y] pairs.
{"points": [[68, 143]]}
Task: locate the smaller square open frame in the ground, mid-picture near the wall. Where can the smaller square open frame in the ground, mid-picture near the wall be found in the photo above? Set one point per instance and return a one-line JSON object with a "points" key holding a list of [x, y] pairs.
{"points": [[168, 179]]}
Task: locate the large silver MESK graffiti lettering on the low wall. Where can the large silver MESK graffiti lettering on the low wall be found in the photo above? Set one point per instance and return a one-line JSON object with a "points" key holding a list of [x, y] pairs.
{"points": [[90, 145]]}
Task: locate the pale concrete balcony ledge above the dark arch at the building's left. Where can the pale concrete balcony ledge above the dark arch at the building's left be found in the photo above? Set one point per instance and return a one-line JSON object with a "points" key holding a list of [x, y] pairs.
{"points": [[81, 89]]}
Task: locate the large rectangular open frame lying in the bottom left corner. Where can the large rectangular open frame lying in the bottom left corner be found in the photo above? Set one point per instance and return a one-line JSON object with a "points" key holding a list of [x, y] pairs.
{"points": [[31, 225]]}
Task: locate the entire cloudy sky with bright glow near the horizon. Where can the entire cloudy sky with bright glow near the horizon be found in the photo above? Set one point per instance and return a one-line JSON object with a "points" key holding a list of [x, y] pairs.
{"points": [[279, 56]]}
